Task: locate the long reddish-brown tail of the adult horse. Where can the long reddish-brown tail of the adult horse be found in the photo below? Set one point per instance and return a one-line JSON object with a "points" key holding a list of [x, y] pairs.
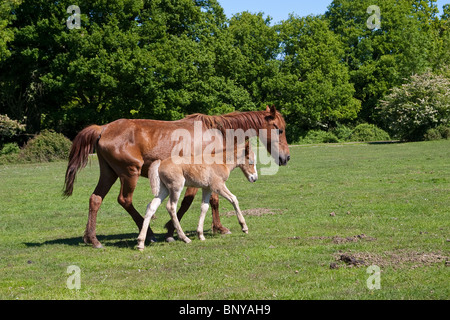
{"points": [[82, 145]]}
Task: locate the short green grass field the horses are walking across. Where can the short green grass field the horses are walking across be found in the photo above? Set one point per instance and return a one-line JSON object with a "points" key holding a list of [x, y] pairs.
{"points": [[390, 205]]}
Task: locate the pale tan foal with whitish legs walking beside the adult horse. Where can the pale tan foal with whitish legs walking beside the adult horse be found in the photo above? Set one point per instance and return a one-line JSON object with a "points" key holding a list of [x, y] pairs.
{"points": [[168, 179]]}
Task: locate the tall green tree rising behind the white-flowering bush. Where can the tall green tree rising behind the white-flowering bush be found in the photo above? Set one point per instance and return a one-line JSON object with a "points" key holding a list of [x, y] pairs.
{"points": [[382, 58]]}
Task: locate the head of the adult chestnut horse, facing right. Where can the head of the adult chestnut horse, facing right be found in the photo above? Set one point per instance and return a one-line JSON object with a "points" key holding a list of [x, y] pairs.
{"points": [[273, 136]]}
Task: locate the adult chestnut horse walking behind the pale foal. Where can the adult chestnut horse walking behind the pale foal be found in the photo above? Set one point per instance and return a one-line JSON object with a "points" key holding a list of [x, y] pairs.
{"points": [[127, 148]]}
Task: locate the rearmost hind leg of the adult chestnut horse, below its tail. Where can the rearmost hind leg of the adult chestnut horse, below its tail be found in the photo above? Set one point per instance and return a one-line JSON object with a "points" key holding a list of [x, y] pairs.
{"points": [[105, 182]]}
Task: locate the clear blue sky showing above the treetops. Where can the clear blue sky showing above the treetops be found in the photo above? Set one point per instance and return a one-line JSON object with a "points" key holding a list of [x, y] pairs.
{"points": [[280, 9]]}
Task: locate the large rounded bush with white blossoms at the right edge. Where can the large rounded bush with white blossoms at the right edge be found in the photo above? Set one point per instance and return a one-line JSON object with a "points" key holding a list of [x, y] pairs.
{"points": [[423, 103]]}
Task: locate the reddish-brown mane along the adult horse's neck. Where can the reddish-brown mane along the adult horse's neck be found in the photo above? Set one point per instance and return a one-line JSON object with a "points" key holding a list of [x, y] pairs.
{"points": [[235, 120]]}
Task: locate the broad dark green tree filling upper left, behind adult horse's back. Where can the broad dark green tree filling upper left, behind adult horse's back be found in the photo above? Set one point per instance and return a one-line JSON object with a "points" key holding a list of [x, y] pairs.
{"points": [[129, 58]]}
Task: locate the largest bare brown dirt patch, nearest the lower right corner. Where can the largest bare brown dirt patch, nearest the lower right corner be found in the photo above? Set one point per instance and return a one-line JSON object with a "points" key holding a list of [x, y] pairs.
{"points": [[396, 259]]}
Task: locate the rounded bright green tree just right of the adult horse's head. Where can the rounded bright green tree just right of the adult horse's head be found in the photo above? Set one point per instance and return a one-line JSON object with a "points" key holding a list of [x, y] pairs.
{"points": [[313, 85]]}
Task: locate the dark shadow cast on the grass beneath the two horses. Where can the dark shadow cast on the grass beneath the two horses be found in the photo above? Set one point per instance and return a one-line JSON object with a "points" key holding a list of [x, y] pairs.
{"points": [[125, 240]]}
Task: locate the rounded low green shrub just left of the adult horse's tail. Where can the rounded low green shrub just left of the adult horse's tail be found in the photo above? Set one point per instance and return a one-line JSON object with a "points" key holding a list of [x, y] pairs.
{"points": [[45, 147]]}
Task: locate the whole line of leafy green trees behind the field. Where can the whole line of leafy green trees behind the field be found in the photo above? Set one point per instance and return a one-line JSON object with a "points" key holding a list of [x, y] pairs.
{"points": [[164, 59]]}
